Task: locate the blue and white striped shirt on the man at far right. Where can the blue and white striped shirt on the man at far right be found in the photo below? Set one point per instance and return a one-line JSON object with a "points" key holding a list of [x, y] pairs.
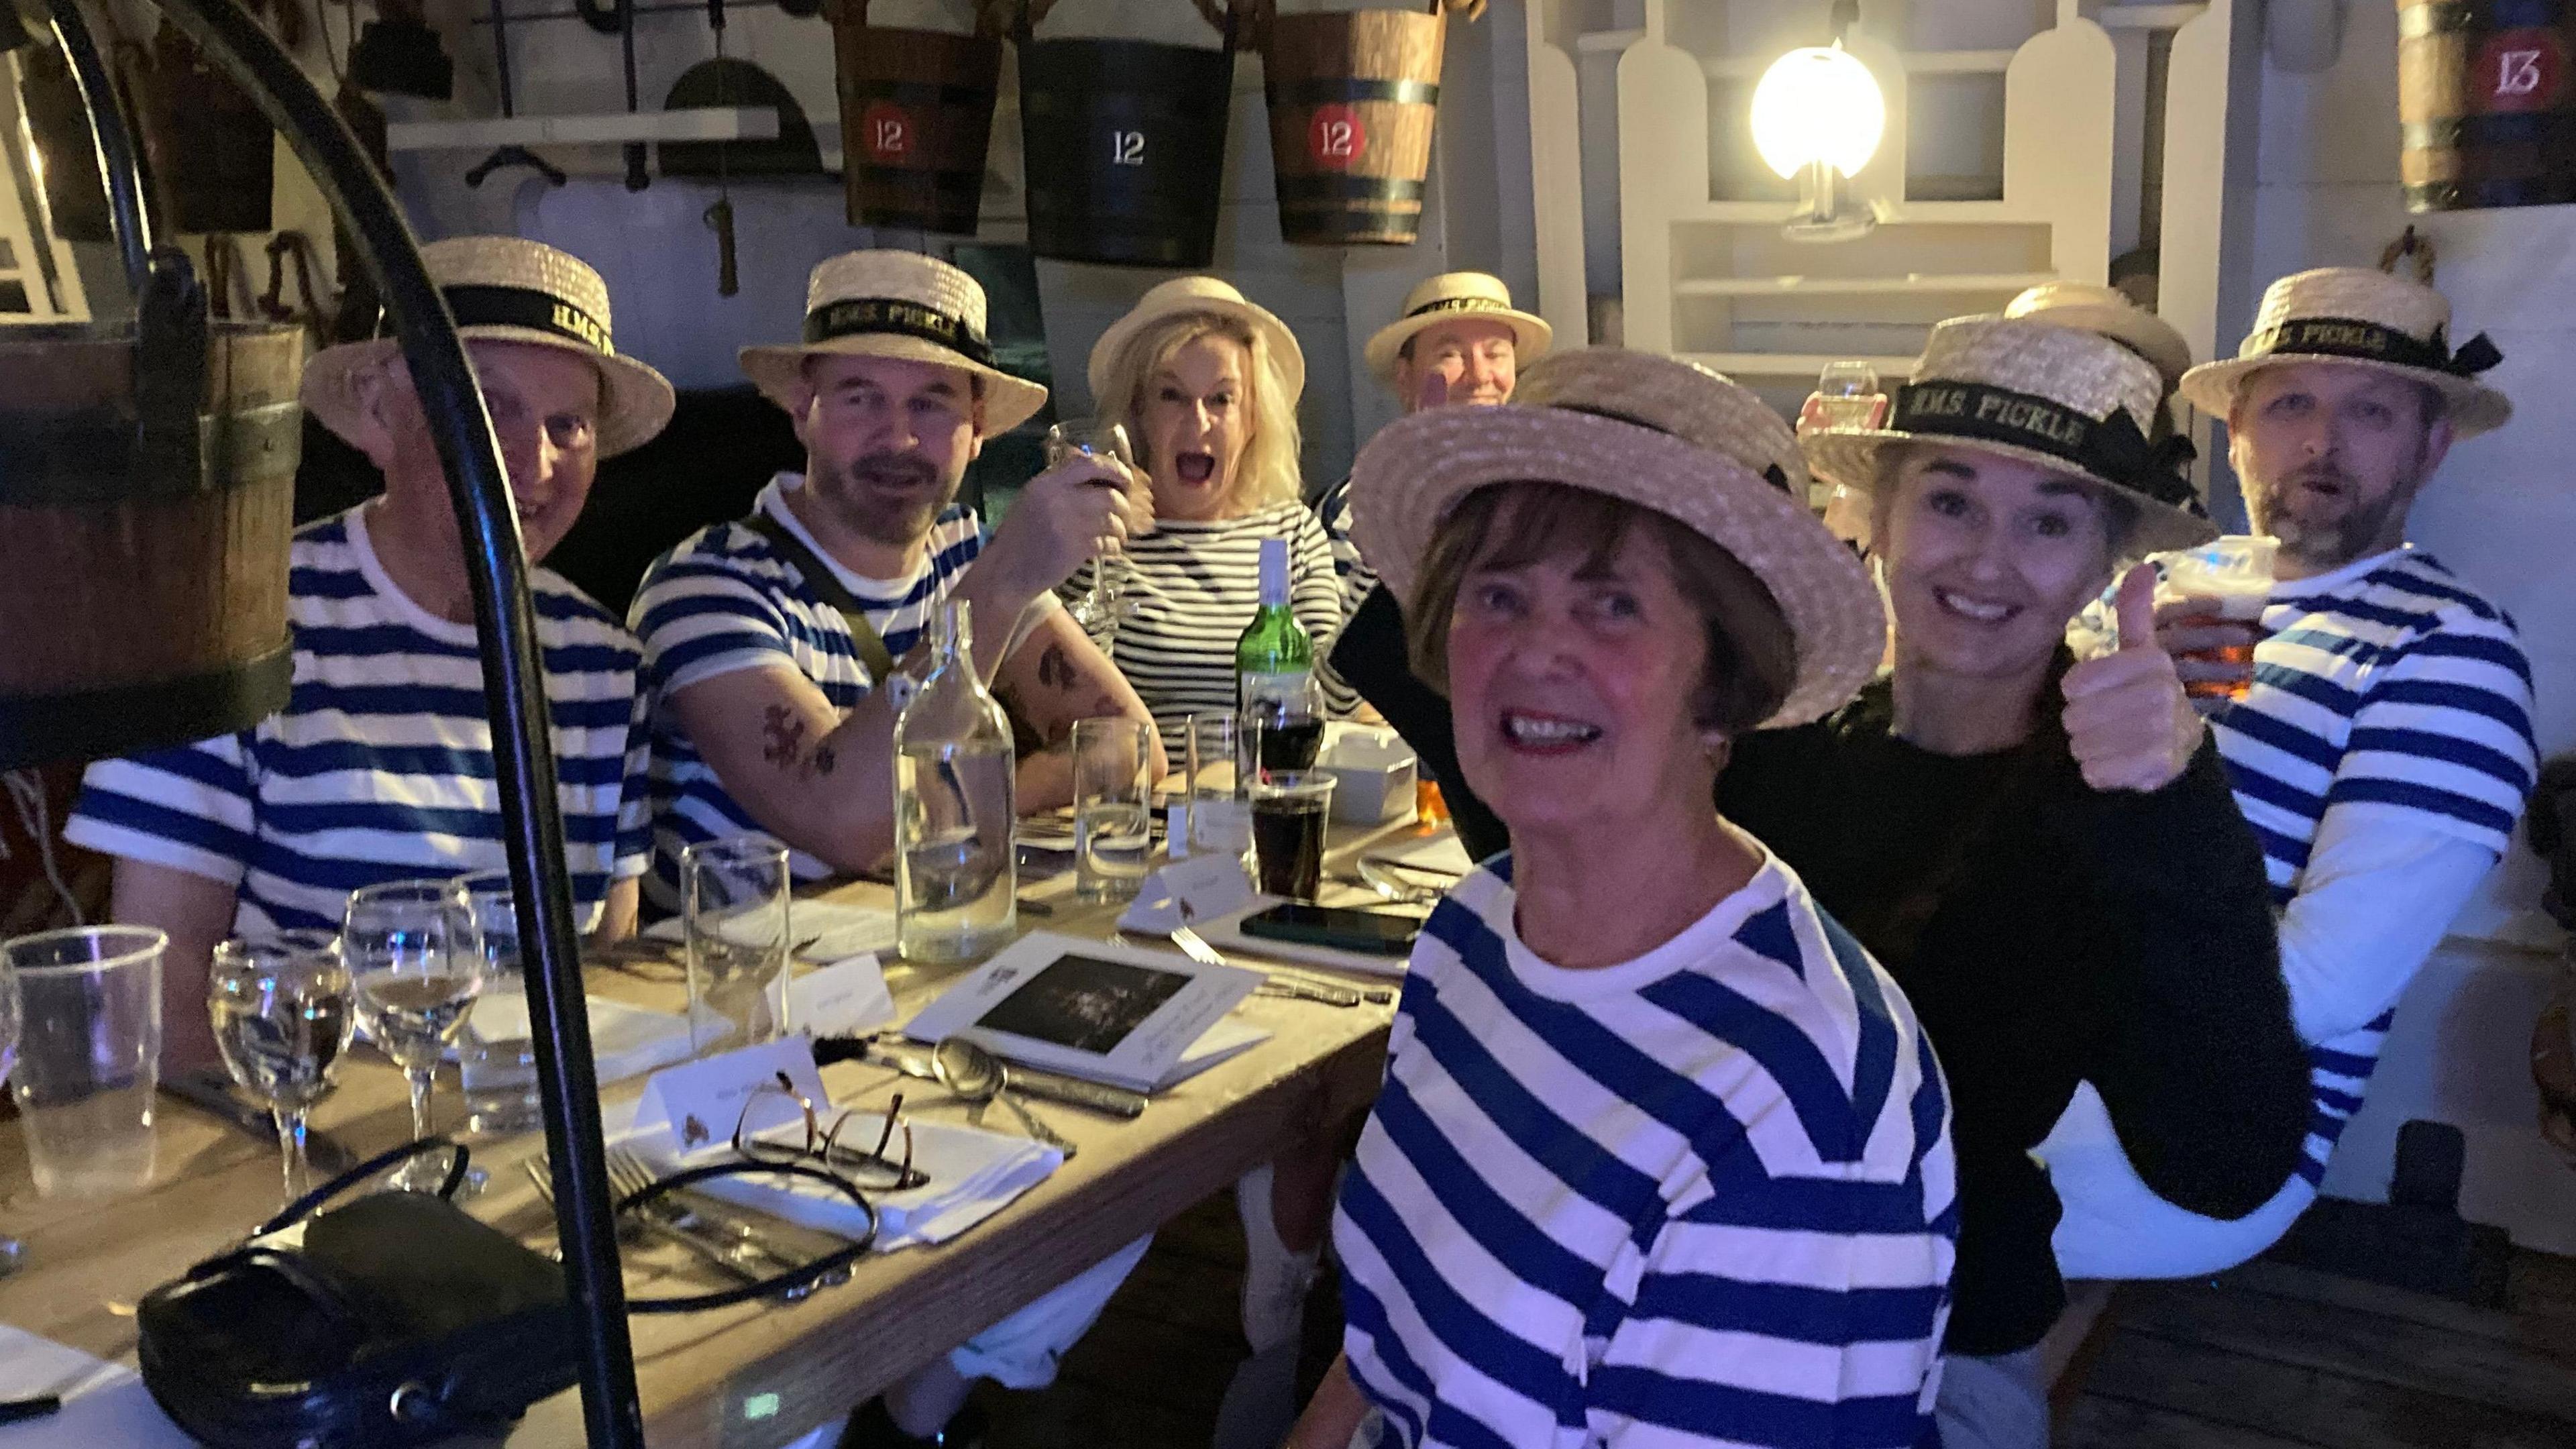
{"points": [[2384, 692]]}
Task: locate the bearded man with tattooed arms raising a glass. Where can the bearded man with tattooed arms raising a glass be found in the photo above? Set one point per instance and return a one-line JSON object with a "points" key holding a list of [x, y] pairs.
{"points": [[766, 705]]}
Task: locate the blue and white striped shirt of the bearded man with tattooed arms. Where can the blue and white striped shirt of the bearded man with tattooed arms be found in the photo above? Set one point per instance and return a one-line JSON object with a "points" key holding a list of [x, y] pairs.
{"points": [[728, 602]]}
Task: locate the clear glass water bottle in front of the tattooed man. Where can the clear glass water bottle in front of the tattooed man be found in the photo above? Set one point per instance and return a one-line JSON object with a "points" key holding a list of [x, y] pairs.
{"points": [[954, 873]]}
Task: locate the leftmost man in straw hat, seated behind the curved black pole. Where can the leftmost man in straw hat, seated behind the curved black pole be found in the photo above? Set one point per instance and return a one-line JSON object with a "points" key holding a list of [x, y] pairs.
{"points": [[383, 762]]}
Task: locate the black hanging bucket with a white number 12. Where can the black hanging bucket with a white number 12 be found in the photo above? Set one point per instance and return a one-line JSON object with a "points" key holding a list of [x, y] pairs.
{"points": [[1124, 148]]}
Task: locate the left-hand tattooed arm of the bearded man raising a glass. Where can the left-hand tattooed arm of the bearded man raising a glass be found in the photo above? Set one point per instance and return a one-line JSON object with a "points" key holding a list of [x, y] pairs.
{"points": [[805, 772]]}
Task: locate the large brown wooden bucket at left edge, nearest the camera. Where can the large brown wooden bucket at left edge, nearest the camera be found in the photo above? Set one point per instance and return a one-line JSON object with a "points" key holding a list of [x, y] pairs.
{"points": [[140, 605]]}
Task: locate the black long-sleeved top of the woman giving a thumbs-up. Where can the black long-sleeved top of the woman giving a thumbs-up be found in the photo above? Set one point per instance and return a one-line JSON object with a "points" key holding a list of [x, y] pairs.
{"points": [[2044, 932]]}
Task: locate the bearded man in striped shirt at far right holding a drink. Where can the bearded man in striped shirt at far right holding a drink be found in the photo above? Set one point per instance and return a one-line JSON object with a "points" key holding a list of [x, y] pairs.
{"points": [[2379, 739]]}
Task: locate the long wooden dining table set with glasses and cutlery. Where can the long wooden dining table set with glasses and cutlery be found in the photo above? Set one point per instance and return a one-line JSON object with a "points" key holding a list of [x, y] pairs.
{"points": [[766, 1373]]}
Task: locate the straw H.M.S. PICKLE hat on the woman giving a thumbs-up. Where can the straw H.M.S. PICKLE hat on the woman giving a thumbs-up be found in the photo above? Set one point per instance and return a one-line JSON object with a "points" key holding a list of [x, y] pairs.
{"points": [[2062, 398]]}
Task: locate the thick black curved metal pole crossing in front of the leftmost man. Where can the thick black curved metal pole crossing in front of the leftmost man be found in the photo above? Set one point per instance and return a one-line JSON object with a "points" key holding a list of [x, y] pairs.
{"points": [[514, 685]]}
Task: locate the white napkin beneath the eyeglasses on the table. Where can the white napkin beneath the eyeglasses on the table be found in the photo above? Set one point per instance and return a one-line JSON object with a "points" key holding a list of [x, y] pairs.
{"points": [[972, 1177]]}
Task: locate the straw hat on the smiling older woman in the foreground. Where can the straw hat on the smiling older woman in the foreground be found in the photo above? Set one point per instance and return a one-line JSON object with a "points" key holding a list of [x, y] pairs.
{"points": [[1655, 432]]}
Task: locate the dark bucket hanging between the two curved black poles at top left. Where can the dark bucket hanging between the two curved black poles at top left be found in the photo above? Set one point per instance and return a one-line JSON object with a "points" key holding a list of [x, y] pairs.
{"points": [[210, 146]]}
